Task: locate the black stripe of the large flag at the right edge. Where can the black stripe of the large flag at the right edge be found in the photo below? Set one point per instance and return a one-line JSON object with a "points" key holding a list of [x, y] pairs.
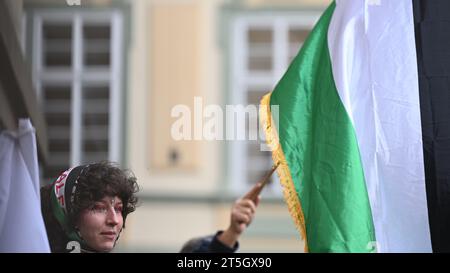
{"points": [[432, 31]]}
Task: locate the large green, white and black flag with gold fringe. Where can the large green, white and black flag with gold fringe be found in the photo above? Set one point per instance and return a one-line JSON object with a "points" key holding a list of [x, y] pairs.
{"points": [[349, 133]]}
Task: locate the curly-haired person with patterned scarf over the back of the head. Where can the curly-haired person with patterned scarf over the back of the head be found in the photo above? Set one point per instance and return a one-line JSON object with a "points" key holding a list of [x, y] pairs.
{"points": [[85, 209]]}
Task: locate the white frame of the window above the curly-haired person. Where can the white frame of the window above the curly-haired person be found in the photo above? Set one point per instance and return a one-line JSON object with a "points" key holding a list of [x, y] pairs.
{"points": [[77, 75]]}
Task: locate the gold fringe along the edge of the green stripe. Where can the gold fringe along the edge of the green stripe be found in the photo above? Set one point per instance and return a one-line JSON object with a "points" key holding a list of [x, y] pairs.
{"points": [[289, 192]]}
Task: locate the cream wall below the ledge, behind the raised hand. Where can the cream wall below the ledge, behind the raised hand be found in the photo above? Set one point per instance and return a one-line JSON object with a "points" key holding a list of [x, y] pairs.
{"points": [[162, 227]]}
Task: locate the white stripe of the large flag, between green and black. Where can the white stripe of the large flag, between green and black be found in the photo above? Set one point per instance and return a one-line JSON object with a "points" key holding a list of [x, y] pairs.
{"points": [[373, 56]]}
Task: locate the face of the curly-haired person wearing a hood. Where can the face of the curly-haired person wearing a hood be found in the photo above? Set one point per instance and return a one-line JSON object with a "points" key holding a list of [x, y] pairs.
{"points": [[100, 225]]}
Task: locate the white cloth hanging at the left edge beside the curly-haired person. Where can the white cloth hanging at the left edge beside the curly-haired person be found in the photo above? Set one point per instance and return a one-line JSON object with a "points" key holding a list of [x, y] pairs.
{"points": [[22, 227]]}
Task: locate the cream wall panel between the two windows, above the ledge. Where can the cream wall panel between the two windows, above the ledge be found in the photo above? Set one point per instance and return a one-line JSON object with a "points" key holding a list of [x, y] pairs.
{"points": [[171, 62]]}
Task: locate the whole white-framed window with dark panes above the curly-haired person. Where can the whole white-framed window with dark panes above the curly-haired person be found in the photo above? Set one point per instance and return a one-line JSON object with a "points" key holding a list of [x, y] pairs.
{"points": [[77, 71]]}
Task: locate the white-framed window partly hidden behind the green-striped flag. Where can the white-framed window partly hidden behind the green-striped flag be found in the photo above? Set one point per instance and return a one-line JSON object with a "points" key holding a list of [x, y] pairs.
{"points": [[262, 48]]}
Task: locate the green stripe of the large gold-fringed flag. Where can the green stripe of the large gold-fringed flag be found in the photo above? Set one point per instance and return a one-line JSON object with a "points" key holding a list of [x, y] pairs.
{"points": [[320, 147]]}
